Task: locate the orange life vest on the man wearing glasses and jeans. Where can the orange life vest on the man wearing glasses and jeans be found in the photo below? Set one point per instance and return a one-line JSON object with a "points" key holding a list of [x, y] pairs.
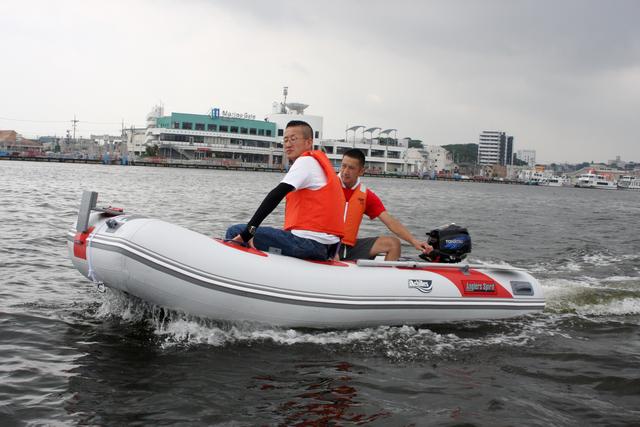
{"points": [[320, 210]]}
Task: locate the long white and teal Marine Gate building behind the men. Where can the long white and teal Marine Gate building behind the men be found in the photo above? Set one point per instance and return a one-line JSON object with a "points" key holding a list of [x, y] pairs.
{"points": [[234, 139]]}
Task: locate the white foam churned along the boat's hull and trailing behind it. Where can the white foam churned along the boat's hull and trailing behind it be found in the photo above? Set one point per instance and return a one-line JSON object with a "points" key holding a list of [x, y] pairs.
{"points": [[584, 296]]}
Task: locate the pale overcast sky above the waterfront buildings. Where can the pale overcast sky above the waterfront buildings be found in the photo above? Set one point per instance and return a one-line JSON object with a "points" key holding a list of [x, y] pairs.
{"points": [[562, 77]]}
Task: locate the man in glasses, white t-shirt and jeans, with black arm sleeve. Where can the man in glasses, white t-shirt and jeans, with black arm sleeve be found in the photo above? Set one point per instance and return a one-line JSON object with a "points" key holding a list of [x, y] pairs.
{"points": [[314, 214]]}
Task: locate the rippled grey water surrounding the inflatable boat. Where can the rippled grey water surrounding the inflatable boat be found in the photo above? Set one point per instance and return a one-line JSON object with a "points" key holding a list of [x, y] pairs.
{"points": [[71, 355]]}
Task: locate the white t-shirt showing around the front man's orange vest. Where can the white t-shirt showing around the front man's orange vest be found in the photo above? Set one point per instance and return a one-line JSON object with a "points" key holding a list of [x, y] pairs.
{"points": [[306, 172]]}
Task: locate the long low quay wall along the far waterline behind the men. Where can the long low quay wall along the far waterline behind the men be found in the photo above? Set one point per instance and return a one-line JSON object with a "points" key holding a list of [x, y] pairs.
{"points": [[183, 165]]}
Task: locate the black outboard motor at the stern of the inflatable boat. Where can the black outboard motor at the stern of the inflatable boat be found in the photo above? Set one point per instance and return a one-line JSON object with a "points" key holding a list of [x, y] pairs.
{"points": [[451, 243]]}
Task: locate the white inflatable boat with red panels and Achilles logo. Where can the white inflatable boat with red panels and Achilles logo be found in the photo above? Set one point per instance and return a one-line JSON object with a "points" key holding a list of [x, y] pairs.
{"points": [[173, 267]]}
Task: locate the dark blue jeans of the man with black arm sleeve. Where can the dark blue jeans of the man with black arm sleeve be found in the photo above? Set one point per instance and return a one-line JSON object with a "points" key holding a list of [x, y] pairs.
{"points": [[289, 244]]}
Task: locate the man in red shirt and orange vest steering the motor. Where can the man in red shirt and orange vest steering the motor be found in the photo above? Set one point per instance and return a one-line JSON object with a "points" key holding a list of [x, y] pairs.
{"points": [[360, 201]]}
